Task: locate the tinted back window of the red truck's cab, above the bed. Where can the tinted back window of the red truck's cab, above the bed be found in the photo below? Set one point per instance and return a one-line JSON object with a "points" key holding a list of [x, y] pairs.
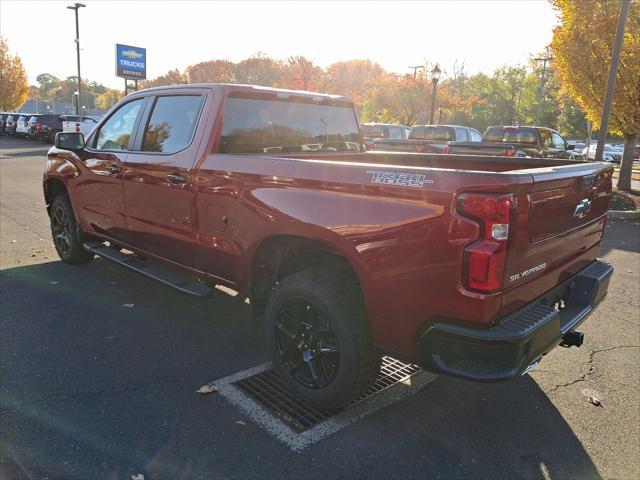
{"points": [[253, 125]]}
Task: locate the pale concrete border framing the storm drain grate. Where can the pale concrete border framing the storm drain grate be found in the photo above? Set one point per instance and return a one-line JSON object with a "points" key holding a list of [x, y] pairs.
{"points": [[298, 441]]}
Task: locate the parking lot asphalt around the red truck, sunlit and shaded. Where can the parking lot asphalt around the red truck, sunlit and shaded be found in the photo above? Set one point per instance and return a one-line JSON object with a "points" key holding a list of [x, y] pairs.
{"points": [[99, 369]]}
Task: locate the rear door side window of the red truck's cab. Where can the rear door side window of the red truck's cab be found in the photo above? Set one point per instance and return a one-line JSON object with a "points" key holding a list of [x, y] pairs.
{"points": [[172, 123]]}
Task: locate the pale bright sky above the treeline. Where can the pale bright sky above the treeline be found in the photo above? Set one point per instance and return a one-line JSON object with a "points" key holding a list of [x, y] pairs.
{"points": [[483, 35]]}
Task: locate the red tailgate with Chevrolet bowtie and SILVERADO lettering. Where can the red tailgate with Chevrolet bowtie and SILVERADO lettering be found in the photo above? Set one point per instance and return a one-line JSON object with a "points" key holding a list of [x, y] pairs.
{"points": [[559, 226]]}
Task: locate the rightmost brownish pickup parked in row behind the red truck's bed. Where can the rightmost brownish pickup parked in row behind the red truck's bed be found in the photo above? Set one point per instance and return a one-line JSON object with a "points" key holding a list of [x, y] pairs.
{"points": [[518, 141]]}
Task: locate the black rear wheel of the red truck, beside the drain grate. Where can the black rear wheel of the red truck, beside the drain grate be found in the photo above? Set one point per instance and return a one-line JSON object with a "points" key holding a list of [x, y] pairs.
{"points": [[331, 302]]}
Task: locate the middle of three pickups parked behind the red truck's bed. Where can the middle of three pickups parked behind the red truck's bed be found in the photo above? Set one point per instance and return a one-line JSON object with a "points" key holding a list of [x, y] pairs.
{"points": [[429, 138]]}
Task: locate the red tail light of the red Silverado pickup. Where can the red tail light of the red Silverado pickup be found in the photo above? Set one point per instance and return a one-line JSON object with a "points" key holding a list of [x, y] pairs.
{"points": [[484, 260]]}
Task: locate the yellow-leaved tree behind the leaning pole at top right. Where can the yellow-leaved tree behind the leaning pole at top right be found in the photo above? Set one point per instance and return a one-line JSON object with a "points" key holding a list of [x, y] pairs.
{"points": [[582, 46]]}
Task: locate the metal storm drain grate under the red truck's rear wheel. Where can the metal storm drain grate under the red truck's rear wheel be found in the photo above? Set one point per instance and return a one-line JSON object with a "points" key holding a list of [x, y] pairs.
{"points": [[267, 390]]}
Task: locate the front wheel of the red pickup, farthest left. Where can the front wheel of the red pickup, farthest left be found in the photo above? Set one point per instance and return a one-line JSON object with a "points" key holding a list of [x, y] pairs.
{"points": [[67, 237]]}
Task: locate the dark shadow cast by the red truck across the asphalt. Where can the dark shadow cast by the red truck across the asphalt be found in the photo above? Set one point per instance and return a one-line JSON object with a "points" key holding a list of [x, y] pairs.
{"points": [[100, 369]]}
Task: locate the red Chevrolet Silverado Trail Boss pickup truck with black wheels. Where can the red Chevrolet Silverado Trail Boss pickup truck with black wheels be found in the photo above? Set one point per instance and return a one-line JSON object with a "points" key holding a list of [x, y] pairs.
{"points": [[471, 266]]}
